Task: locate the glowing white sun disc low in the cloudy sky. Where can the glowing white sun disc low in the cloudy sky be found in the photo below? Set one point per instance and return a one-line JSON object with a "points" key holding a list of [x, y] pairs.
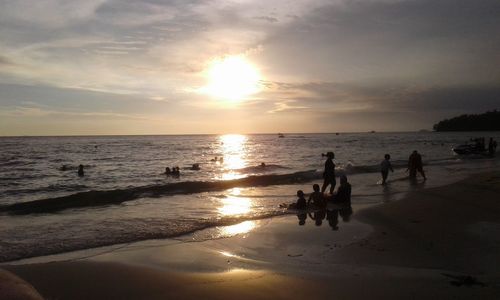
{"points": [[232, 78]]}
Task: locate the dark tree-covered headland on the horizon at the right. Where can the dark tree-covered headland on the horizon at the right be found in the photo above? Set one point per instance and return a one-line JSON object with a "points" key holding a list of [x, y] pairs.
{"points": [[488, 121]]}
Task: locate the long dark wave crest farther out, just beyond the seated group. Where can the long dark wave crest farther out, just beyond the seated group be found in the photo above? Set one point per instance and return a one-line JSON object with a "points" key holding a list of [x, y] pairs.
{"points": [[117, 196]]}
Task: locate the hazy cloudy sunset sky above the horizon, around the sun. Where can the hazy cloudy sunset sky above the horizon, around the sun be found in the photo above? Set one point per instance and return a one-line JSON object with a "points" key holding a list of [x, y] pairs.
{"points": [[140, 67]]}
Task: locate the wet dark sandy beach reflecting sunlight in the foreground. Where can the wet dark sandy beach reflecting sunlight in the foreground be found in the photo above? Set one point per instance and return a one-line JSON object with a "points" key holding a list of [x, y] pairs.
{"points": [[441, 242]]}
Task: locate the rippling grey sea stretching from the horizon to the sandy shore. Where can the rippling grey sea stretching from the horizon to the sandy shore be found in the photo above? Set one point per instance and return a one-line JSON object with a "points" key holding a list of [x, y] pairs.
{"points": [[124, 197]]}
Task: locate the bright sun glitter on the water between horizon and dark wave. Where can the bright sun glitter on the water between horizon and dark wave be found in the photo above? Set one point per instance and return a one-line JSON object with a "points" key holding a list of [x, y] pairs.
{"points": [[234, 153]]}
